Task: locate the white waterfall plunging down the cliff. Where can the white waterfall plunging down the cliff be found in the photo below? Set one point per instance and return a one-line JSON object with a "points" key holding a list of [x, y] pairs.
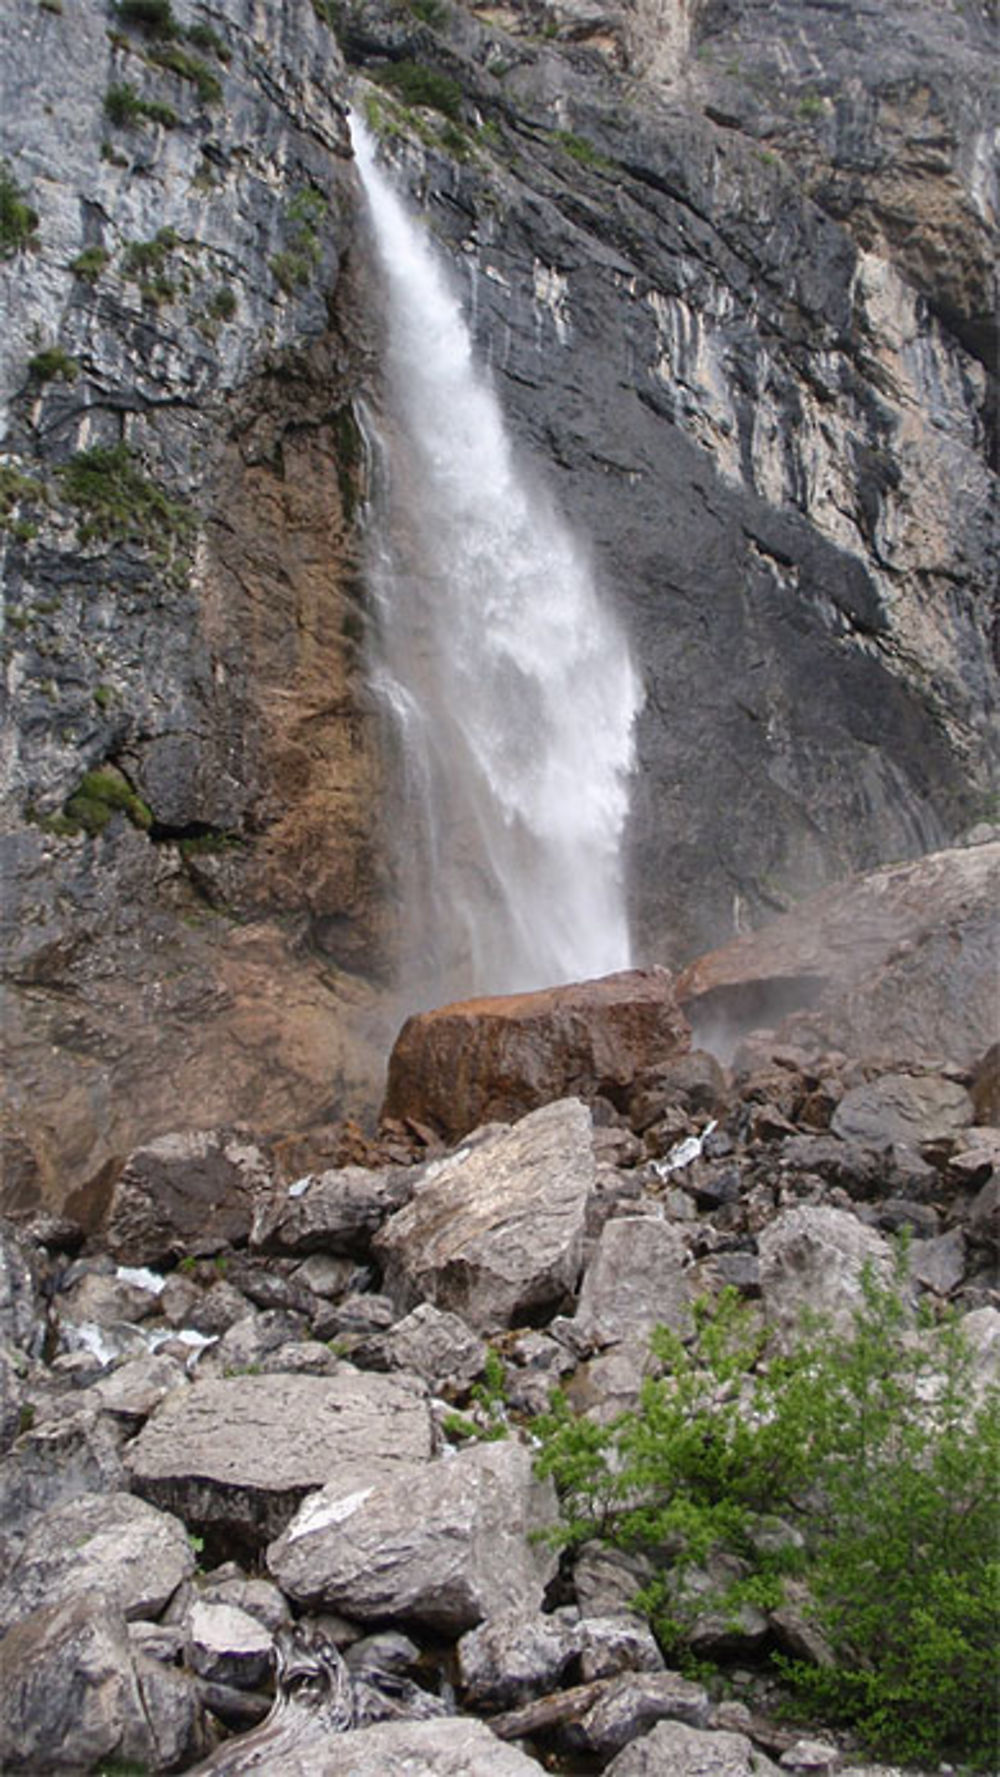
{"points": [[507, 681]]}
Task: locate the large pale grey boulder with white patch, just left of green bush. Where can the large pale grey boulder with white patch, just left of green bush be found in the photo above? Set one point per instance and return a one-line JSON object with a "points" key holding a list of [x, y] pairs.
{"points": [[445, 1545]]}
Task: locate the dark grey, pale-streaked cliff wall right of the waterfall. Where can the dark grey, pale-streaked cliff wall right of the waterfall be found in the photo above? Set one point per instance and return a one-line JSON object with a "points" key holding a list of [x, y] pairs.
{"points": [[763, 394]]}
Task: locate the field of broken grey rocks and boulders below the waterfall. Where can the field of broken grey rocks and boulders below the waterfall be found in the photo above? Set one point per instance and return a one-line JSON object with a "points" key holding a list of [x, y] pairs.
{"points": [[226, 1417]]}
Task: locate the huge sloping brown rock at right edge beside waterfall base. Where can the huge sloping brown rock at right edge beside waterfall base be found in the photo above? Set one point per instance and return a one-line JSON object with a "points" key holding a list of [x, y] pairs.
{"points": [[901, 964]]}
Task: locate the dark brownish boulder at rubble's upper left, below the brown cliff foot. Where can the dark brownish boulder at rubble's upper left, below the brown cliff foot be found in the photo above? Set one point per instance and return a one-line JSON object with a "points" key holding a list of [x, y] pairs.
{"points": [[186, 1193]]}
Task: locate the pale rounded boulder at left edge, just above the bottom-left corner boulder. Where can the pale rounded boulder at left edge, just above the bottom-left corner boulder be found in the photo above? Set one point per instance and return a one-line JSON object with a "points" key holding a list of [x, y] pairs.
{"points": [[111, 1545]]}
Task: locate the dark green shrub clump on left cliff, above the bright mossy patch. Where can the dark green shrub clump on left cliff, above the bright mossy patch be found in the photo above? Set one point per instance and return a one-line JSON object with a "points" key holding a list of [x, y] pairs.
{"points": [[118, 504]]}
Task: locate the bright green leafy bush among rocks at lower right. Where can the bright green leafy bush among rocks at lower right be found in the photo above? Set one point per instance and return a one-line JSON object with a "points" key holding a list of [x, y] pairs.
{"points": [[861, 1467]]}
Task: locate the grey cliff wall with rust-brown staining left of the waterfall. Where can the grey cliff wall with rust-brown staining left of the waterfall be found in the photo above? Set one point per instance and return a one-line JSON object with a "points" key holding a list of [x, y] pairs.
{"points": [[184, 305]]}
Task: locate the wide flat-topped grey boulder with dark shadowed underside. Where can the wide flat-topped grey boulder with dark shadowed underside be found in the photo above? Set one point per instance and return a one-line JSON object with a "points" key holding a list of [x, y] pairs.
{"points": [[241, 1453]]}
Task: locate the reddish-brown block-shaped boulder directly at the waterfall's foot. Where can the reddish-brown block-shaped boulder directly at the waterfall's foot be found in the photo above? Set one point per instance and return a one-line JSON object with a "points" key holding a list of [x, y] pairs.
{"points": [[495, 1060]]}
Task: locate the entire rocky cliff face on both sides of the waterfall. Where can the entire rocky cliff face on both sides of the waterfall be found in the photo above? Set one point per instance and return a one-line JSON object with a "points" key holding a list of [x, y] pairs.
{"points": [[731, 266]]}
